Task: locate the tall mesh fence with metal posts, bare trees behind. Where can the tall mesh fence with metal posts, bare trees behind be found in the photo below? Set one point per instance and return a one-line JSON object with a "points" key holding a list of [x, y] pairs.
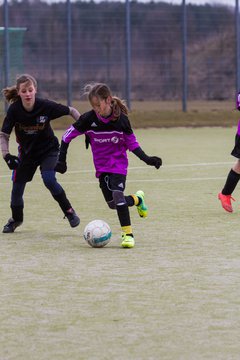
{"points": [[144, 51]]}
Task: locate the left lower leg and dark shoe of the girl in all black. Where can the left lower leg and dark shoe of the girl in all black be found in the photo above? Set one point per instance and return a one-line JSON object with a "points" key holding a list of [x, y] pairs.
{"points": [[17, 205]]}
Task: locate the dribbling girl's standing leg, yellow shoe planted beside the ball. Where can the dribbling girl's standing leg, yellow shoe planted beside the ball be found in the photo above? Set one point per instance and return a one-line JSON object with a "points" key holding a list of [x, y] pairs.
{"points": [[112, 186]]}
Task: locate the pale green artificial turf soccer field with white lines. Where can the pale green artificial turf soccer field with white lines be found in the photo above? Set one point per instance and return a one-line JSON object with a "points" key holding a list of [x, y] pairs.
{"points": [[174, 296]]}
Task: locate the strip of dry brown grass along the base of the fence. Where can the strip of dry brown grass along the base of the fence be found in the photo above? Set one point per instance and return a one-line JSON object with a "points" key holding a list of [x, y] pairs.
{"points": [[169, 114]]}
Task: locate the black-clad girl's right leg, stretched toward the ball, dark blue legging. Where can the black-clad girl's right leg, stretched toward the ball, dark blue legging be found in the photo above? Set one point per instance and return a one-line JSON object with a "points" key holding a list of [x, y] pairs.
{"points": [[56, 190]]}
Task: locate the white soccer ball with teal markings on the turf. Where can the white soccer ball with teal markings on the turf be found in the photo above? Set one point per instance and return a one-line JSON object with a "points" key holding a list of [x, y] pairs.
{"points": [[97, 233]]}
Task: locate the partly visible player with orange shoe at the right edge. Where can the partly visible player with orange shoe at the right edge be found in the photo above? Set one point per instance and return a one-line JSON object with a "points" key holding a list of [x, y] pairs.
{"points": [[234, 174]]}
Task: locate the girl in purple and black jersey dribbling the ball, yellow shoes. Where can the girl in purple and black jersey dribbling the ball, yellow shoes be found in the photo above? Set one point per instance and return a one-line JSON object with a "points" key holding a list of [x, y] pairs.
{"points": [[109, 133]]}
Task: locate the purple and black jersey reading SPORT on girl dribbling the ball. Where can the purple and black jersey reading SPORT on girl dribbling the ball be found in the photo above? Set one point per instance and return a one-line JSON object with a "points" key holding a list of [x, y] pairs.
{"points": [[109, 141]]}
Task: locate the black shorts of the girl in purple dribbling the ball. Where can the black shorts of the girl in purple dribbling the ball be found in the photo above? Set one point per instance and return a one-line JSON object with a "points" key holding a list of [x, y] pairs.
{"points": [[109, 182]]}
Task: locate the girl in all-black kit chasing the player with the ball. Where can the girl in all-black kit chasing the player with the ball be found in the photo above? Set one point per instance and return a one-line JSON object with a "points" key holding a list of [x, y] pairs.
{"points": [[38, 146]]}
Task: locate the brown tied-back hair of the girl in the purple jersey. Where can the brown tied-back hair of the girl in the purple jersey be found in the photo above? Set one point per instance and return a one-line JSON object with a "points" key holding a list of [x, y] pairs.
{"points": [[102, 91]]}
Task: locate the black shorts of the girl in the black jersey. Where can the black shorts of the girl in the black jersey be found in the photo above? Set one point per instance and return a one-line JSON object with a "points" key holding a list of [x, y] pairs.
{"points": [[28, 166]]}
